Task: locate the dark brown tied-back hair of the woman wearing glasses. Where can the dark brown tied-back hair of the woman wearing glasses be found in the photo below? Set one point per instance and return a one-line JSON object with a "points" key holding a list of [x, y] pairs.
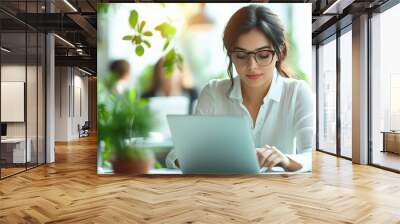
{"points": [[262, 18]]}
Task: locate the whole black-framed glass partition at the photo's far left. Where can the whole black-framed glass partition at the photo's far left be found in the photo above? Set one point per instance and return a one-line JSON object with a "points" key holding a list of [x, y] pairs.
{"points": [[22, 68]]}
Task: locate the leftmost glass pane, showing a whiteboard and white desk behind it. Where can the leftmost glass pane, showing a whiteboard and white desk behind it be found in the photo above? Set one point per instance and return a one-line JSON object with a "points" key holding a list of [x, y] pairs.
{"points": [[14, 153]]}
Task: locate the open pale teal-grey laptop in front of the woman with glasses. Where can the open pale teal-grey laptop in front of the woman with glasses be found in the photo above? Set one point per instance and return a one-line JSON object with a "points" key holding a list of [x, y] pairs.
{"points": [[213, 144]]}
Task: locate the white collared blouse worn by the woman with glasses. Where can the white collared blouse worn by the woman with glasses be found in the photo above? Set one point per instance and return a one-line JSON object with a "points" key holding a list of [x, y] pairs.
{"points": [[285, 119]]}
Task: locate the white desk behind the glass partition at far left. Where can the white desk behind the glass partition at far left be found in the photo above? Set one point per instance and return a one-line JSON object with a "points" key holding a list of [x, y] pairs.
{"points": [[18, 150]]}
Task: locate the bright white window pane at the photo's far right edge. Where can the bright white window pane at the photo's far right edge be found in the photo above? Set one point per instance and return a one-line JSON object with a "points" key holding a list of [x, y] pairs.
{"points": [[386, 89]]}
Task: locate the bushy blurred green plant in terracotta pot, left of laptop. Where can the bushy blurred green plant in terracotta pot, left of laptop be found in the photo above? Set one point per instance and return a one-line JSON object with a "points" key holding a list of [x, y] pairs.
{"points": [[124, 121]]}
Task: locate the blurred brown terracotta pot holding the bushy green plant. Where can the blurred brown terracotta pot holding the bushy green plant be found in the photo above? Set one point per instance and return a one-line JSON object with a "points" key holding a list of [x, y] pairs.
{"points": [[132, 166]]}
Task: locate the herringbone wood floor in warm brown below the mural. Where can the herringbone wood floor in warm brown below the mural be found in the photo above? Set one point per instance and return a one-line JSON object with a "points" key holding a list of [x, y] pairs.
{"points": [[70, 191]]}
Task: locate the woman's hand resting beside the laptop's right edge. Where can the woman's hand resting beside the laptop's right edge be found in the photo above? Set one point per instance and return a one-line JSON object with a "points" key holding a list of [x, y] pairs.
{"points": [[270, 156]]}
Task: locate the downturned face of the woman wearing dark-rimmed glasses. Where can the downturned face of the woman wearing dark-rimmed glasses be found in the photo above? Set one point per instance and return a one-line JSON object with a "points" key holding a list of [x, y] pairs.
{"points": [[251, 73]]}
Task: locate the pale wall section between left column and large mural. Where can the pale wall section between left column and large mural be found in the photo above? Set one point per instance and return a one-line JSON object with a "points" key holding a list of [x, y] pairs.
{"points": [[71, 93]]}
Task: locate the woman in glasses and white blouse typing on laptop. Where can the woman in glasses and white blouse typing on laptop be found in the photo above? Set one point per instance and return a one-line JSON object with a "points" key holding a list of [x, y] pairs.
{"points": [[279, 108]]}
